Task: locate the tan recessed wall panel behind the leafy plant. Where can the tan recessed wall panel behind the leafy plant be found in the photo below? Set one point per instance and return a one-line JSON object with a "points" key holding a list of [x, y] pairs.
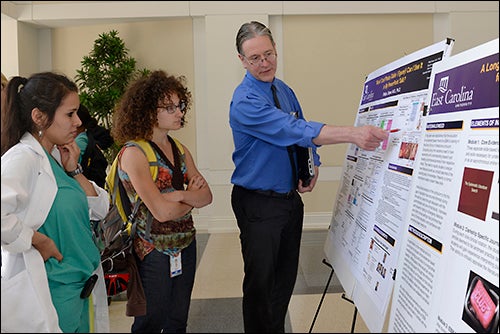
{"points": [[162, 44]]}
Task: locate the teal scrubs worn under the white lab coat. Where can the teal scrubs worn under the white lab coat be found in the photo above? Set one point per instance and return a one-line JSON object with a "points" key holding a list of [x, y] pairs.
{"points": [[68, 224]]}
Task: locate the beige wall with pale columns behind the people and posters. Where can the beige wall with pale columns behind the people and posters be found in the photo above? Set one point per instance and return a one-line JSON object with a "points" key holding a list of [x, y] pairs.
{"points": [[326, 49]]}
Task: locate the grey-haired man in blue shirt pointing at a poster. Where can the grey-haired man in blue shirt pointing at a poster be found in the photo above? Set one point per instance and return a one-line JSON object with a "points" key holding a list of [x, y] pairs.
{"points": [[265, 196]]}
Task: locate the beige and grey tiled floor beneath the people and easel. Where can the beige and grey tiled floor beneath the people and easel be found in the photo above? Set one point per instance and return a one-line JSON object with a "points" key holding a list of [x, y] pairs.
{"points": [[216, 298]]}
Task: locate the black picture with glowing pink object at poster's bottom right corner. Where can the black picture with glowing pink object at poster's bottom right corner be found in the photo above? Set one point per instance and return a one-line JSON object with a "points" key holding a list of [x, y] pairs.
{"points": [[481, 305]]}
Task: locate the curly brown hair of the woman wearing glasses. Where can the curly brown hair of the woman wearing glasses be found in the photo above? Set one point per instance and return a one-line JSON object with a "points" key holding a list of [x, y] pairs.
{"points": [[136, 114]]}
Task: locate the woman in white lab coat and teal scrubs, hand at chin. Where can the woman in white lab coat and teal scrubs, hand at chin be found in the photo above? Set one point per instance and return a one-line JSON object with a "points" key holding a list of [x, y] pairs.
{"points": [[47, 248]]}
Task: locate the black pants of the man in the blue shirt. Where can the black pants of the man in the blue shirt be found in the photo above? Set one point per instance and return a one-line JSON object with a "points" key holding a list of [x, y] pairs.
{"points": [[270, 233]]}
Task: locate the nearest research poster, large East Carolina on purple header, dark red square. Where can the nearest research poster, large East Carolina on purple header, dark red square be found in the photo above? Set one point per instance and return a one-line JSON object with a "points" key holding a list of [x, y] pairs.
{"points": [[448, 279]]}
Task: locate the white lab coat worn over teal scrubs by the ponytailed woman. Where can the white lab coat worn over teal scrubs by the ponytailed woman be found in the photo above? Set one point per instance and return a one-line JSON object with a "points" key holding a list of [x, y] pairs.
{"points": [[28, 190]]}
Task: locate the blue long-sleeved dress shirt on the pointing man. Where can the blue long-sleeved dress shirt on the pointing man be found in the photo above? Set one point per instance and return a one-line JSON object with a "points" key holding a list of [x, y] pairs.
{"points": [[262, 132]]}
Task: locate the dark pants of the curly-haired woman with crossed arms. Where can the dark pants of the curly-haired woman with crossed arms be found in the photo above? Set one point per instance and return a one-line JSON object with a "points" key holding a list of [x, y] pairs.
{"points": [[168, 298]]}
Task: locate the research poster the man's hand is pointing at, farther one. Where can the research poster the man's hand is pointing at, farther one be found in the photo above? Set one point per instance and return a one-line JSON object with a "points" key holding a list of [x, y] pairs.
{"points": [[365, 233]]}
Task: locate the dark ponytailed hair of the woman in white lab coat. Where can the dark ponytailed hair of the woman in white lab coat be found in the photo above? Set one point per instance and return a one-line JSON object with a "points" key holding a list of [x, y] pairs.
{"points": [[44, 91]]}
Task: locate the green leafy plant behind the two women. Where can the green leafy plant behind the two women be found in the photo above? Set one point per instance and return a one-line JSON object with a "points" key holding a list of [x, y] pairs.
{"points": [[103, 78]]}
